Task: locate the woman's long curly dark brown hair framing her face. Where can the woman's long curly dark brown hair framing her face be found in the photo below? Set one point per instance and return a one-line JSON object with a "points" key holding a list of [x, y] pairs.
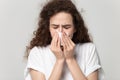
{"points": [[42, 35]]}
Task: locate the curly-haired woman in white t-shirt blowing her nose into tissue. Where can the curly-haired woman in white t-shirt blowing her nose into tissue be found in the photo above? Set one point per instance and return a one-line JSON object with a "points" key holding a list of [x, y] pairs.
{"points": [[61, 48]]}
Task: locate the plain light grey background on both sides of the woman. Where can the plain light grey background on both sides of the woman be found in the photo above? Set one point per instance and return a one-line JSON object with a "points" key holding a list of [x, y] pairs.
{"points": [[18, 19]]}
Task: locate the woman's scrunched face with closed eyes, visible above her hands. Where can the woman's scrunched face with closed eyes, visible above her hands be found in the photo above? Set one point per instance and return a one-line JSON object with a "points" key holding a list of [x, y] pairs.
{"points": [[61, 22]]}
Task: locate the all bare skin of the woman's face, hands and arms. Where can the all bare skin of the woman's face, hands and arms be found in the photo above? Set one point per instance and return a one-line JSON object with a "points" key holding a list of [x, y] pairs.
{"points": [[62, 22]]}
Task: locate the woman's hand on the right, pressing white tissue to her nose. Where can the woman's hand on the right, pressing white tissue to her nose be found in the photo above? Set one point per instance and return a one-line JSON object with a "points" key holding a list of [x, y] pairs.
{"points": [[68, 47]]}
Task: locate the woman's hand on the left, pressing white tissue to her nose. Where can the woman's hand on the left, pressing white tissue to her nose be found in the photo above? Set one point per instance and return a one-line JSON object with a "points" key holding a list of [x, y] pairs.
{"points": [[55, 47]]}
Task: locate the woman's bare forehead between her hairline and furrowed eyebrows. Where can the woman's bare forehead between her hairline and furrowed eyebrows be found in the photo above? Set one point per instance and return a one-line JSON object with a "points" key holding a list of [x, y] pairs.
{"points": [[61, 18]]}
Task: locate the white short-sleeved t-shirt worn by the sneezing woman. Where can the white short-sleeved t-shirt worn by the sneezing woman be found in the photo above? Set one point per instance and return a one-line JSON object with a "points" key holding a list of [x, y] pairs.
{"points": [[42, 59]]}
